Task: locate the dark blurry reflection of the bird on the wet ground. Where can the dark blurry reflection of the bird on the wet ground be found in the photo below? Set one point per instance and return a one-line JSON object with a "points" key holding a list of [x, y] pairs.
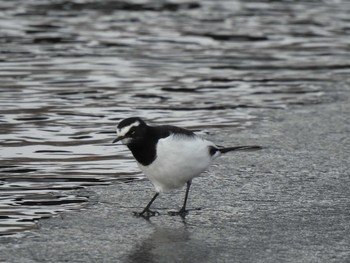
{"points": [[169, 244]]}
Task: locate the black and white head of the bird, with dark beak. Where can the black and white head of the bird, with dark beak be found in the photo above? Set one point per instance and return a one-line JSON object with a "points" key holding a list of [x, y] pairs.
{"points": [[130, 130]]}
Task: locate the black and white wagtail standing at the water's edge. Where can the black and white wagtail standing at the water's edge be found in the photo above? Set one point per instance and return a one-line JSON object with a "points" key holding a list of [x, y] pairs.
{"points": [[169, 156]]}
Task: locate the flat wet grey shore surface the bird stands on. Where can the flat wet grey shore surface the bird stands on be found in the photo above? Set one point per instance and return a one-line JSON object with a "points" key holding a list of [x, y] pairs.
{"points": [[285, 203]]}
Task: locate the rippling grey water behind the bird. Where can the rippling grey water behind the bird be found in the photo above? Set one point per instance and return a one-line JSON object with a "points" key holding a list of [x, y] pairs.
{"points": [[70, 70]]}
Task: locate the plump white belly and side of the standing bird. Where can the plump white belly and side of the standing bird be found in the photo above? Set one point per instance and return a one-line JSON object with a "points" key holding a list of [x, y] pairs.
{"points": [[179, 159]]}
